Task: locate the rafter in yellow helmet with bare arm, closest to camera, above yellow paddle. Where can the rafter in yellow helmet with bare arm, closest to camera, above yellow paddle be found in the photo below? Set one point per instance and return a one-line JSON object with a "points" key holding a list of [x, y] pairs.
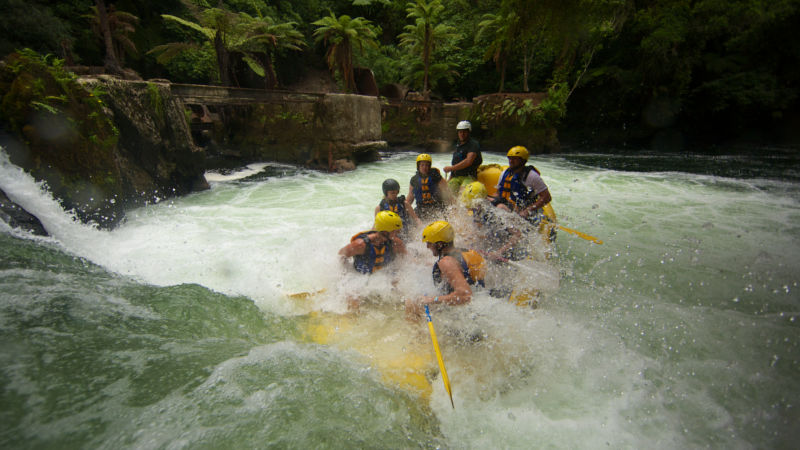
{"points": [[453, 273]]}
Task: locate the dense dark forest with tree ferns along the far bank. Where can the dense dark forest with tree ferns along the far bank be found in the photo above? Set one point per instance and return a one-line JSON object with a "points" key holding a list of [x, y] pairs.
{"points": [[653, 73]]}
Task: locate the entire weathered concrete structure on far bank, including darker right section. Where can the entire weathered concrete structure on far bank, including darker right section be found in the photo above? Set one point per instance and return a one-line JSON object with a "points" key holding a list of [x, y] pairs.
{"points": [[314, 128]]}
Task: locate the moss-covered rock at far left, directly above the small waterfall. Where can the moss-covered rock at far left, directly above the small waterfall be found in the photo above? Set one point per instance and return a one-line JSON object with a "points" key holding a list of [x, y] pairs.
{"points": [[67, 138]]}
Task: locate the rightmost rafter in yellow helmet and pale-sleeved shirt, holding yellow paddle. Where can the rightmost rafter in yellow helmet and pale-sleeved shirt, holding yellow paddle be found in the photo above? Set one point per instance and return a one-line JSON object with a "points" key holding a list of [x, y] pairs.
{"points": [[520, 188]]}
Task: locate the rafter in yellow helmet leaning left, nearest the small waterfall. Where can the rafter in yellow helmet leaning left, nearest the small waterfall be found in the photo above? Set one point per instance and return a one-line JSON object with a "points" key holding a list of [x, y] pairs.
{"points": [[373, 250]]}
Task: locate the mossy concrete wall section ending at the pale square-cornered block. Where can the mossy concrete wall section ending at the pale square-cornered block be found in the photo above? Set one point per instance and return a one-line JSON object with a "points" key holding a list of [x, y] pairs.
{"points": [[236, 126]]}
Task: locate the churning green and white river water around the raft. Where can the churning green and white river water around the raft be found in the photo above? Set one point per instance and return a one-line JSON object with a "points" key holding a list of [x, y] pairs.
{"points": [[177, 330]]}
